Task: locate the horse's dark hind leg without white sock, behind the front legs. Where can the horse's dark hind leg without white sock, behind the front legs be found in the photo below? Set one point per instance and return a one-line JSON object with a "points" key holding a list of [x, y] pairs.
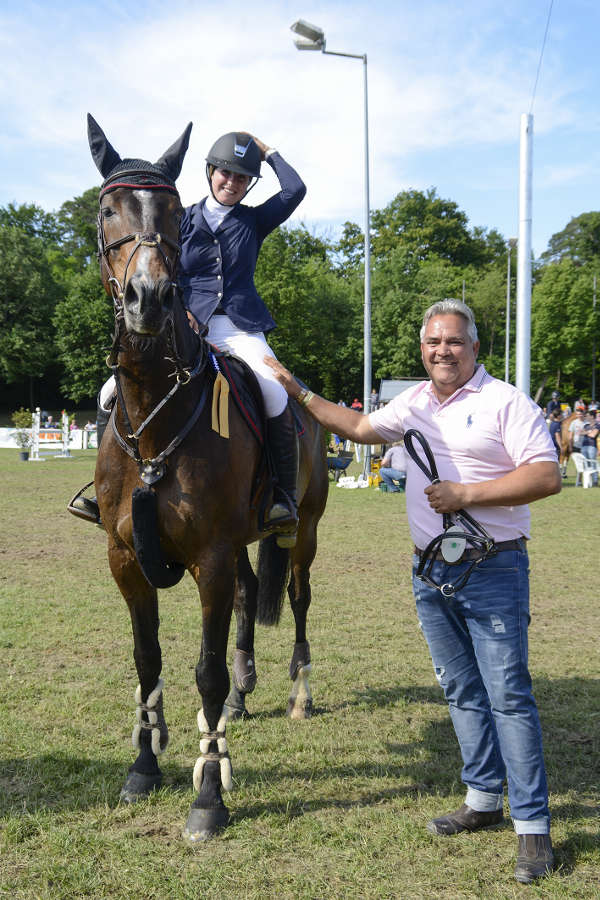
{"points": [[243, 669]]}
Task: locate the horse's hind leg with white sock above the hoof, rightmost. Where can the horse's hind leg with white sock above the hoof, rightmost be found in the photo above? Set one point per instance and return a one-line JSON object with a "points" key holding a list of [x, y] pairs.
{"points": [[300, 700]]}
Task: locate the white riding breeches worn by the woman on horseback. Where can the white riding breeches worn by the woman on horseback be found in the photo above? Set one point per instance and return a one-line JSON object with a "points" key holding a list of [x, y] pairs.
{"points": [[249, 346]]}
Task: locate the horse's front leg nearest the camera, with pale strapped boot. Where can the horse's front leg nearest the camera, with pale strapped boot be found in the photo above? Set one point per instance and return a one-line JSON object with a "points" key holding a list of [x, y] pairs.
{"points": [[212, 771]]}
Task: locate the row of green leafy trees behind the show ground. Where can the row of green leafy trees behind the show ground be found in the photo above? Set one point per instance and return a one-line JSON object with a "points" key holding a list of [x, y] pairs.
{"points": [[56, 321]]}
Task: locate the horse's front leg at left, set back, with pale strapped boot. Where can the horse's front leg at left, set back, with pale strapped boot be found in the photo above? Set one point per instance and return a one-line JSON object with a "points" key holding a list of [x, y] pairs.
{"points": [[150, 734]]}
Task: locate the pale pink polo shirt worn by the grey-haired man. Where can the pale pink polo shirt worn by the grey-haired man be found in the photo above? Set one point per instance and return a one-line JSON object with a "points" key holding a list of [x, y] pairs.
{"points": [[484, 430]]}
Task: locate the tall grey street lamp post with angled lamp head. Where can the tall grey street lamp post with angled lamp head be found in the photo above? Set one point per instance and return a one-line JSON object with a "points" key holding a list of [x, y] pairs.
{"points": [[313, 38]]}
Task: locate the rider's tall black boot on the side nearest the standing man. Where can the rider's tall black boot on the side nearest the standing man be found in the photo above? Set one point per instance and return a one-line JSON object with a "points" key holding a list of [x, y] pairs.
{"points": [[283, 442]]}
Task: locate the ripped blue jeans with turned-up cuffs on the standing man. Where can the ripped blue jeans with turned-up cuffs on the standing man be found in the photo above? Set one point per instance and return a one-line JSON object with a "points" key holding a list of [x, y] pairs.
{"points": [[478, 644]]}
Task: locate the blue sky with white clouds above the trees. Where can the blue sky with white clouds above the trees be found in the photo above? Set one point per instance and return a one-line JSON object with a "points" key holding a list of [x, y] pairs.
{"points": [[447, 85]]}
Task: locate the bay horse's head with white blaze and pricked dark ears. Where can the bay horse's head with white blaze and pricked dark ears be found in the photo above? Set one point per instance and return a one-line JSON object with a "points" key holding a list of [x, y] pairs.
{"points": [[138, 231]]}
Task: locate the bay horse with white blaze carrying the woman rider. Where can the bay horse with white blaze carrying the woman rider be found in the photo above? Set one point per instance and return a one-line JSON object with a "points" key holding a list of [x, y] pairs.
{"points": [[178, 493]]}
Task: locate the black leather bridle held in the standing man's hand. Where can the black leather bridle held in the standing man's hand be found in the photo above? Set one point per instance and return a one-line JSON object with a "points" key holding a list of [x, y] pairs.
{"points": [[460, 529]]}
